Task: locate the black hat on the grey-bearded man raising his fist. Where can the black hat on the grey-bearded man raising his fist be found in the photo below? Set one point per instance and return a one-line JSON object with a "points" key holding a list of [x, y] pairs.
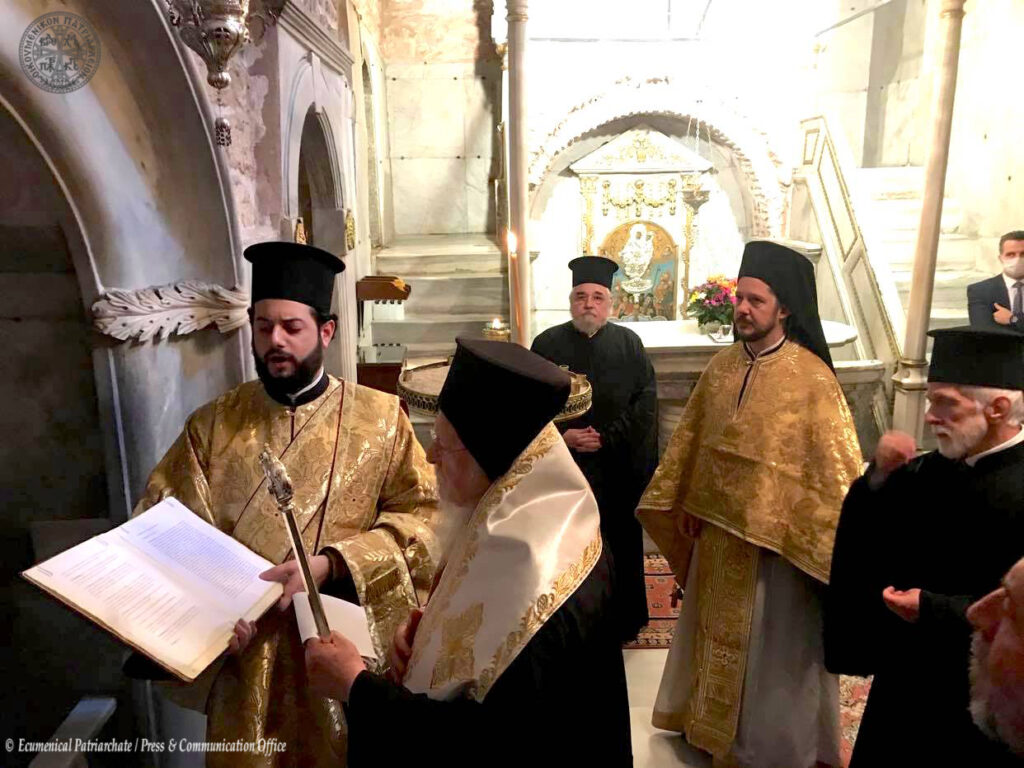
{"points": [[977, 357]]}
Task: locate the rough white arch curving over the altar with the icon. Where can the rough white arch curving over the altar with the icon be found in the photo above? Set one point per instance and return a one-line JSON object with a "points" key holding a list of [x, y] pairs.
{"points": [[629, 99]]}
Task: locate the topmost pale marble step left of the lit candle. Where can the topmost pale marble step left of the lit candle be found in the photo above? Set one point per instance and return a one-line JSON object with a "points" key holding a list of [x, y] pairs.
{"points": [[440, 254]]}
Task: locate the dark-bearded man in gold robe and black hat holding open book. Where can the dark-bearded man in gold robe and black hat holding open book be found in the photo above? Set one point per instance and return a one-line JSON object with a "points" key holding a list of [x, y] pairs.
{"points": [[365, 500]]}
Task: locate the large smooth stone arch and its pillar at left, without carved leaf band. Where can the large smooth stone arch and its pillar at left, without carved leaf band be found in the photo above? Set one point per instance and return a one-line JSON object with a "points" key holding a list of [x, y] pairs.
{"points": [[133, 154]]}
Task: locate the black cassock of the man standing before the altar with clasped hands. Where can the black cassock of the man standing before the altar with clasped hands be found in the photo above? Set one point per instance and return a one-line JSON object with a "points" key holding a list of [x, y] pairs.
{"points": [[625, 412]]}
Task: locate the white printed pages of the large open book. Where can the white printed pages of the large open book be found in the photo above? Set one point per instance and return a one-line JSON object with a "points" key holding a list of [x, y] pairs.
{"points": [[166, 583]]}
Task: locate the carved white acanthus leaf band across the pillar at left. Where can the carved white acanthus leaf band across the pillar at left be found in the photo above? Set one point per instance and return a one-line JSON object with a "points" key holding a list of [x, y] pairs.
{"points": [[177, 309]]}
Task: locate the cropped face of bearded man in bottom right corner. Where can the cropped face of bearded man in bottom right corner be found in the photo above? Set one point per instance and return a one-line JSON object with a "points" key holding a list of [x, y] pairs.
{"points": [[998, 662]]}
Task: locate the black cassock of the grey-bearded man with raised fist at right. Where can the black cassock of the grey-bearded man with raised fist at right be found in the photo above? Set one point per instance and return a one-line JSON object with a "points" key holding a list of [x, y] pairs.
{"points": [[953, 532]]}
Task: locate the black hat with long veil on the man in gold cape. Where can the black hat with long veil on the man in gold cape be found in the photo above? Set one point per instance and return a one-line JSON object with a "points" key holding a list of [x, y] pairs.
{"points": [[791, 277]]}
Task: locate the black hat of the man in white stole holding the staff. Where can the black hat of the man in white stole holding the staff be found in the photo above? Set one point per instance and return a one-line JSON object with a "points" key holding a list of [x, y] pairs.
{"points": [[499, 397]]}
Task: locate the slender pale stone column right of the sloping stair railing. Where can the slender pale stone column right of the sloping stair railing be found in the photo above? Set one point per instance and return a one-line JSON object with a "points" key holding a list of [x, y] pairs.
{"points": [[912, 376]]}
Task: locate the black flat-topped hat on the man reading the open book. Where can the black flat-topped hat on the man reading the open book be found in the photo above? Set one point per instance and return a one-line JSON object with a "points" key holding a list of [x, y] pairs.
{"points": [[294, 272]]}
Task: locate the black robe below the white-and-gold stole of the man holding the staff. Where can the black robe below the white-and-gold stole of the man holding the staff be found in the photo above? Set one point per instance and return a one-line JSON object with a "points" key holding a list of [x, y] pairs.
{"points": [[563, 702]]}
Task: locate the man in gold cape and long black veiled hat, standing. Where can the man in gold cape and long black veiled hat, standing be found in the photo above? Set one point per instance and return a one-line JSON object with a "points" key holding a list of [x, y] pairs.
{"points": [[745, 506]]}
